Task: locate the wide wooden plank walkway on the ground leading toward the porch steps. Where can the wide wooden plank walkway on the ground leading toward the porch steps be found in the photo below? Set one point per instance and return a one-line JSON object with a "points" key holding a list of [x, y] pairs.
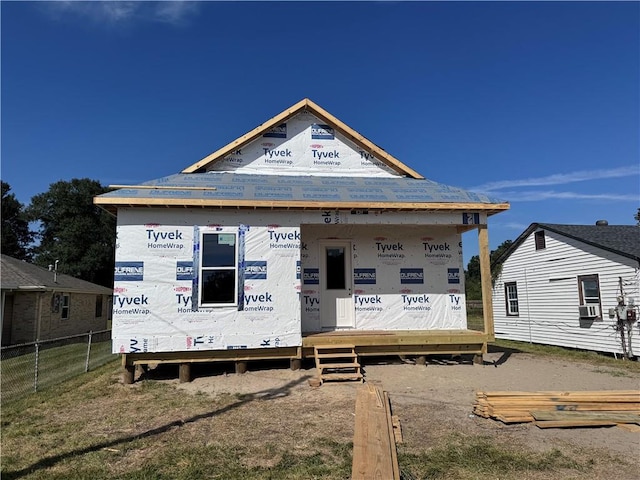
{"points": [[374, 440]]}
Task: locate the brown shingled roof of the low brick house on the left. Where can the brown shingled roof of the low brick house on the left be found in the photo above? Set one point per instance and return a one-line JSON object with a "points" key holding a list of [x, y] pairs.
{"points": [[19, 275]]}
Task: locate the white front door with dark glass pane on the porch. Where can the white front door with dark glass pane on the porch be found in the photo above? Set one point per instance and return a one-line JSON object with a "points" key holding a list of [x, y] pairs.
{"points": [[337, 309]]}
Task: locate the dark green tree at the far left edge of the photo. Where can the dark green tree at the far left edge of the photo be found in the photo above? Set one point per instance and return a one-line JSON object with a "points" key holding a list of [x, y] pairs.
{"points": [[16, 236]]}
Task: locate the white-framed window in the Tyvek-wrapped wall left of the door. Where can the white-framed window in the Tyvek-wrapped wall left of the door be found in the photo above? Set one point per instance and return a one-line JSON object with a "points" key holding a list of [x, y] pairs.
{"points": [[218, 282]]}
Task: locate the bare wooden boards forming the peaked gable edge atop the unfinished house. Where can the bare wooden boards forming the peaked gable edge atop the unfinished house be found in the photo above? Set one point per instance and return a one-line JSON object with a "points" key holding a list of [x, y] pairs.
{"points": [[302, 105]]}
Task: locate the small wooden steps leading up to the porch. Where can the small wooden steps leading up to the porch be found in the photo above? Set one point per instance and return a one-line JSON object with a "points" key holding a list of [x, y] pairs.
{"points": [[337, 362]]}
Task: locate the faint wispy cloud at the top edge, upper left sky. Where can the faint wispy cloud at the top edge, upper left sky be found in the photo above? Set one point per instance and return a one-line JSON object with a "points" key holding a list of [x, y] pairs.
{"points": [[121, 12]]}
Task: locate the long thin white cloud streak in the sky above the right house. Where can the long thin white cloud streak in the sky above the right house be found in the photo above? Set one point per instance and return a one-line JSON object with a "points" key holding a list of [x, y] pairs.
{"points": [[560, 179]]}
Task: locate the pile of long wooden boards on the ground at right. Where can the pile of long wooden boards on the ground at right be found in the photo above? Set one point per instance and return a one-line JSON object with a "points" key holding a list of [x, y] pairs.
{"points": [[561, 409]]}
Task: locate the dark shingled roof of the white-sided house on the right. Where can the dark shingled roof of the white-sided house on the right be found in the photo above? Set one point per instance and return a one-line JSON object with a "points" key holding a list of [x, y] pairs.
{"points": [[621, 239]]}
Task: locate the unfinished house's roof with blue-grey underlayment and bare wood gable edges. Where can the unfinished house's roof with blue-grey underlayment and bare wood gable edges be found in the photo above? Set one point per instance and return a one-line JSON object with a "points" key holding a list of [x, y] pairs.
{"points": [[201, 186]]}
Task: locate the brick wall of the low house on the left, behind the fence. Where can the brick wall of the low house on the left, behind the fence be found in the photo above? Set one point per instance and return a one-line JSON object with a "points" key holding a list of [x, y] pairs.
{"points": [[28, 306]]}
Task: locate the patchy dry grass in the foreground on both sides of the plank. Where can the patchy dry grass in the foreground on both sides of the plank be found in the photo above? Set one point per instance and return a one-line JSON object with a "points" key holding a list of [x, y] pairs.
{"points": [[94, 427]]}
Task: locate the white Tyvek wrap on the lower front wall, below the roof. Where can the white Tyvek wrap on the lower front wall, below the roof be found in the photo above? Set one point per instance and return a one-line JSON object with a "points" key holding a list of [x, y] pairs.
{"points": [[416, 285]]}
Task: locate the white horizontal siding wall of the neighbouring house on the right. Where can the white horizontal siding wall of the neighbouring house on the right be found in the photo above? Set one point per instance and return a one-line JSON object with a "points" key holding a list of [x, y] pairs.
{"points": [[548, 294]]}
